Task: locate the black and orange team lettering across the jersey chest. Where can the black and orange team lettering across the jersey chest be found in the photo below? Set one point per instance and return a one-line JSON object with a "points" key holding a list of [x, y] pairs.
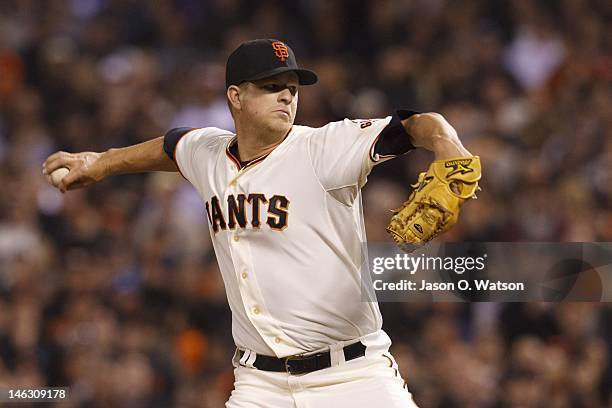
{"points": [[278, 211]]}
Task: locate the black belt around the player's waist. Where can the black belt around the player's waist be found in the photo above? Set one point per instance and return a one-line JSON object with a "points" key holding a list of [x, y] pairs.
{"points": [[305, 364]]}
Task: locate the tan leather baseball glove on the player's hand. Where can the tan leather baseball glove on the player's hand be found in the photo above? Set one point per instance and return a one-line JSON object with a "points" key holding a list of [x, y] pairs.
{"points": [[434, 204]]}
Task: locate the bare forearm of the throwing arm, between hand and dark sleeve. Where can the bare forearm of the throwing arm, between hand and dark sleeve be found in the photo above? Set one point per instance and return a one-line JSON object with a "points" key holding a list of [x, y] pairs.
{"points": [[143, 157]]}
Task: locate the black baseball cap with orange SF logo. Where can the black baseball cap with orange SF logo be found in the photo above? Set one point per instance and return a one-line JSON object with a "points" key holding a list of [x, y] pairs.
{"points": [[263, 58]]}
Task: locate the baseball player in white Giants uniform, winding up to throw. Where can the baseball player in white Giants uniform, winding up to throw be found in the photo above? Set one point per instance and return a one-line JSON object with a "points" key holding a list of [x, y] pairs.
{"points": [[284, 209]]}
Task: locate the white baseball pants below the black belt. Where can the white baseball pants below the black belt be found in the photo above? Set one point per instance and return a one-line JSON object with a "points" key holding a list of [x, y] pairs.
{"points": [[369, 381]]}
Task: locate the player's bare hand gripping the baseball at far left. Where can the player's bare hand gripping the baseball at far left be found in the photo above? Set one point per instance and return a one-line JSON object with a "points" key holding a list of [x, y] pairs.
{"points": [[84, 169]]}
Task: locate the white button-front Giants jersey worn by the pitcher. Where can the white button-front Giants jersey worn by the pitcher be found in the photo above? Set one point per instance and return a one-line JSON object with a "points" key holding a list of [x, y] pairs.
{"points": [[288, 230]]}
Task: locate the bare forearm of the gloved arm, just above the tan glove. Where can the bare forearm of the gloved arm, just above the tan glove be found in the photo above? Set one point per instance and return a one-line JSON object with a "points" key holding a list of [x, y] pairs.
{"points": [[432, 132]]}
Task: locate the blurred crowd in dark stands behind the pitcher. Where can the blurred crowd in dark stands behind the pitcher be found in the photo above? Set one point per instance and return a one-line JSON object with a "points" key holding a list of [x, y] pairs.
{"points": [[114, 291]]}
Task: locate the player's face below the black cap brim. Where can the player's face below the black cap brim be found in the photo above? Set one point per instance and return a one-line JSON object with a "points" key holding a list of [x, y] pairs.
{"points": [[272, 102]]}
